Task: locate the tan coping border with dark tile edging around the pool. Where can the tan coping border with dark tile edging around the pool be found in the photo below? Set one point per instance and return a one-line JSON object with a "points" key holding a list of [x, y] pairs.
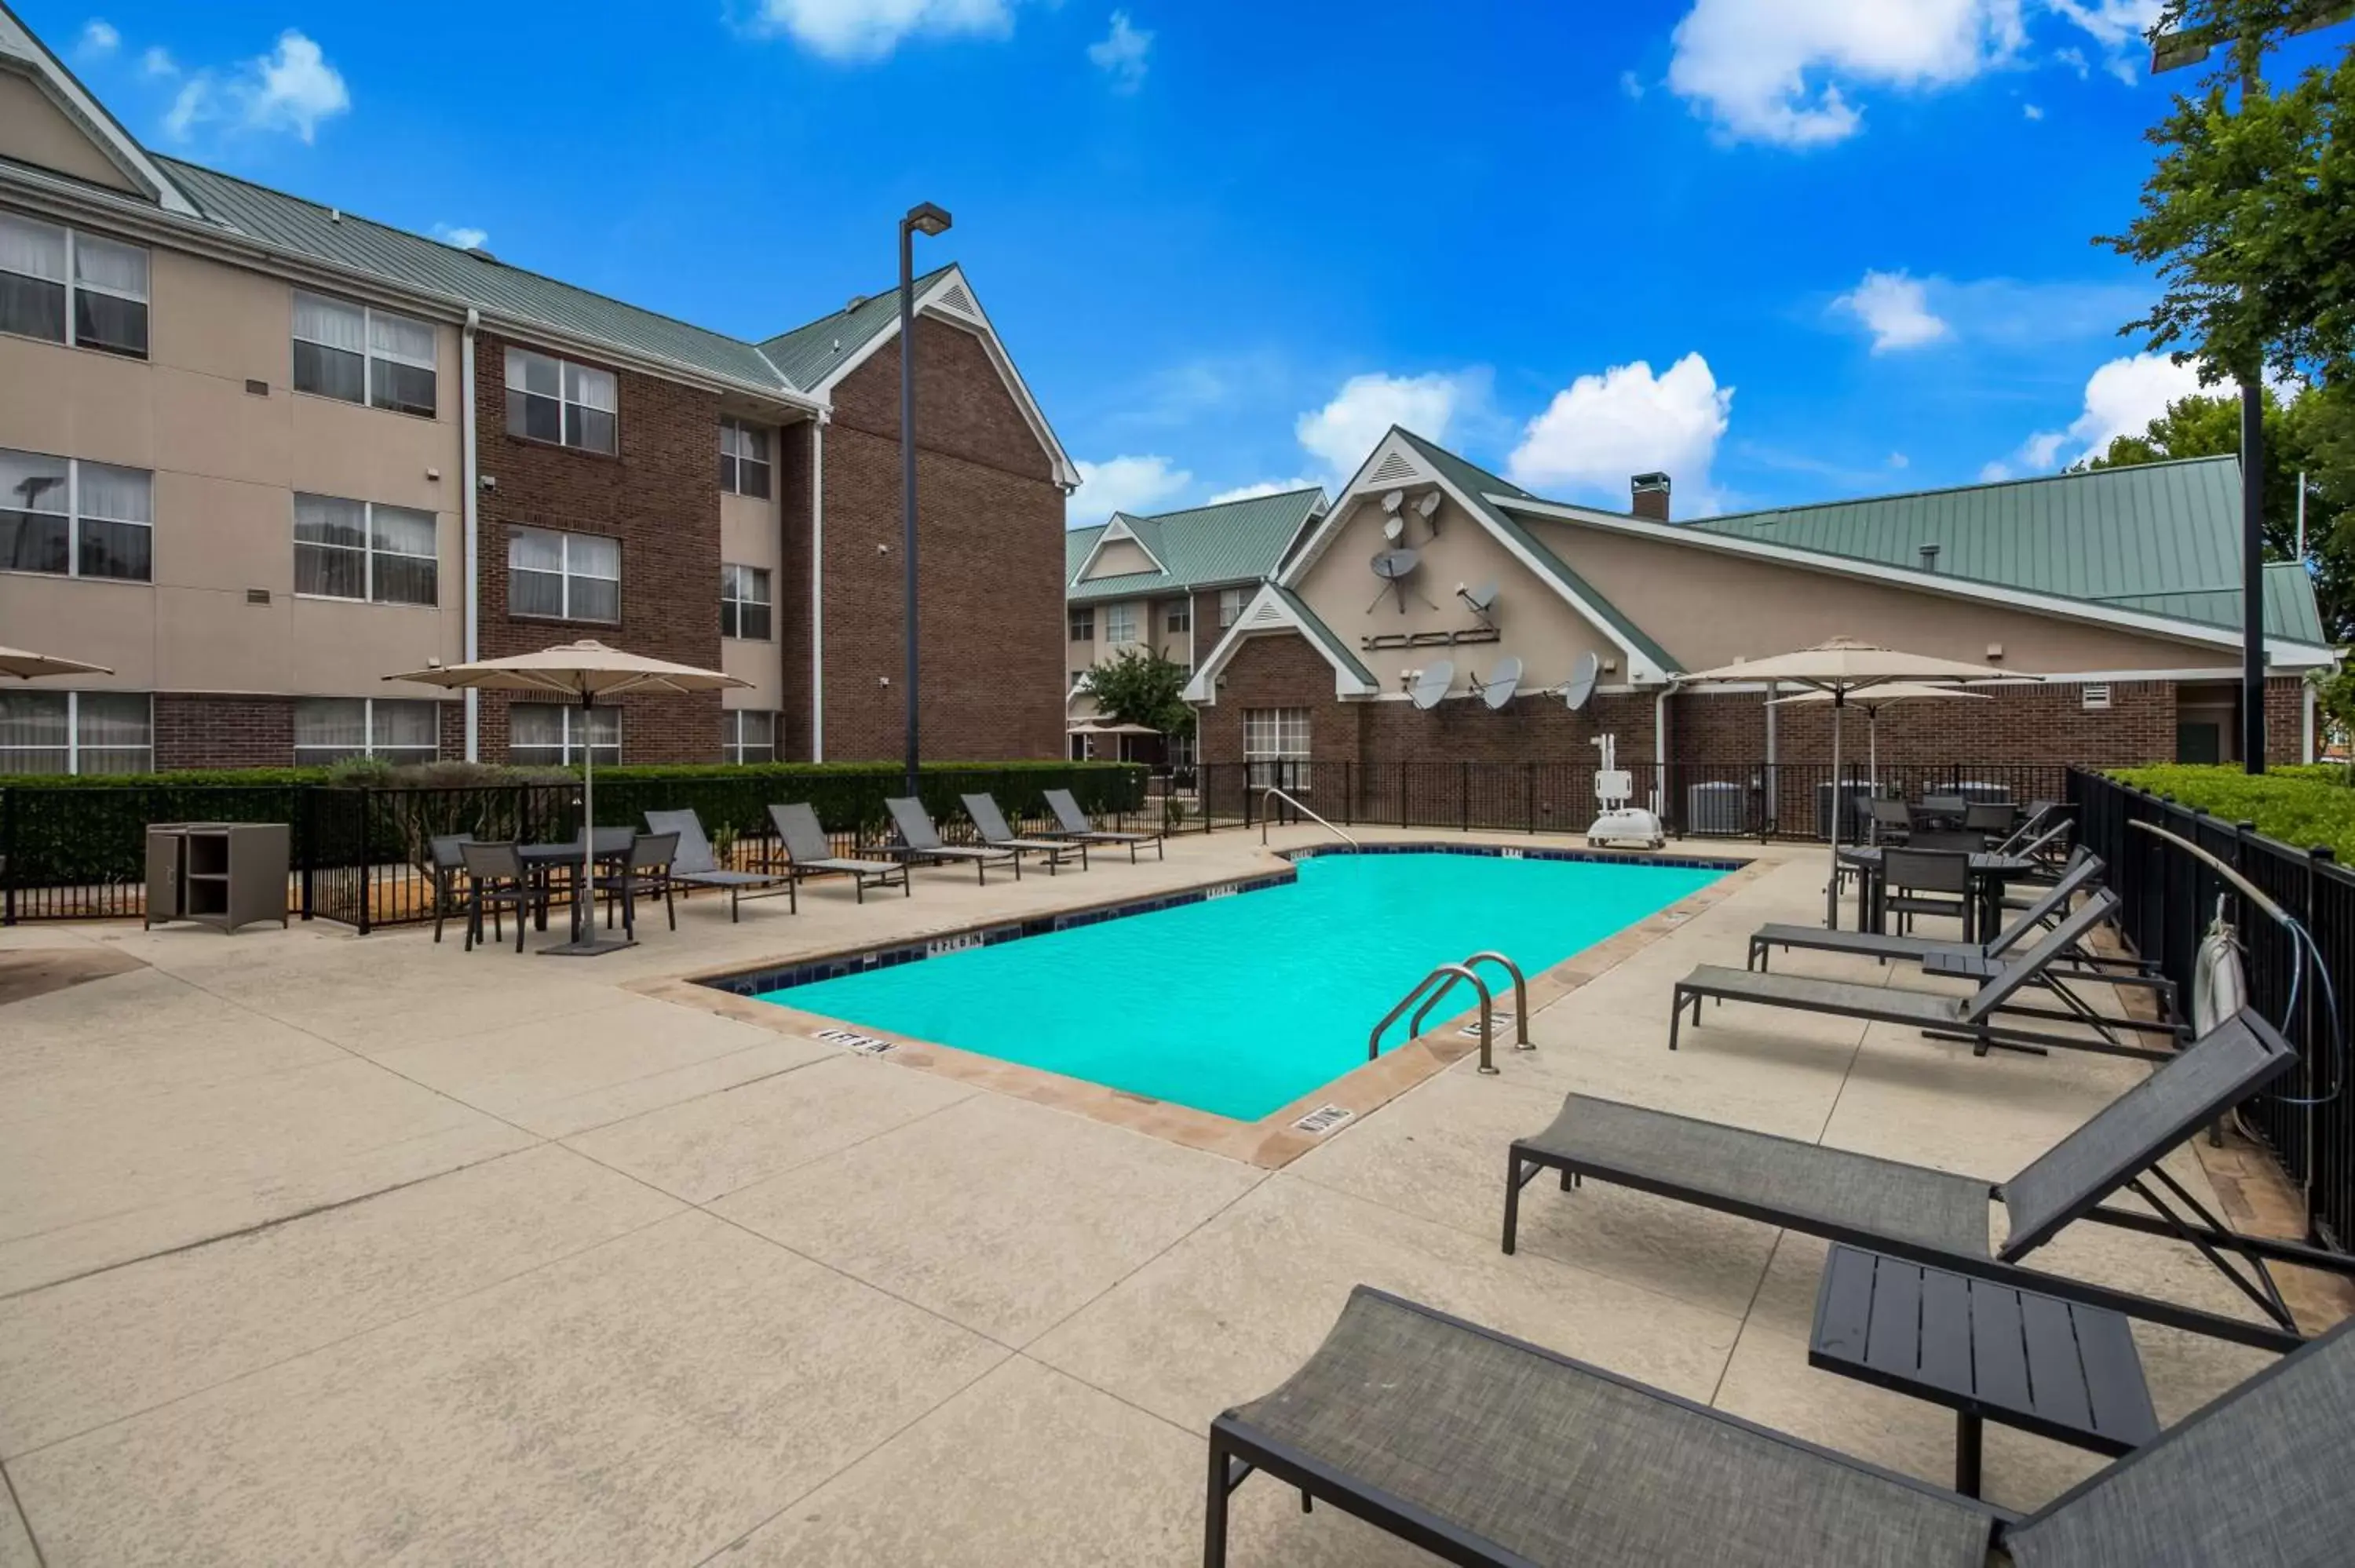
{"points": [[1271, 1141]]}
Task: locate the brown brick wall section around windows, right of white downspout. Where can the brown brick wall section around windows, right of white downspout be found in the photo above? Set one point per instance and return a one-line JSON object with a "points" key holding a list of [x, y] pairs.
{"points": [[661, 498]]}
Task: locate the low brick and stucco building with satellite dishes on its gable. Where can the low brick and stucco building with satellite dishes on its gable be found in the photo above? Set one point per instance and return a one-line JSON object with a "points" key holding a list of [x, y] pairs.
{"points": [[2118, 590]]}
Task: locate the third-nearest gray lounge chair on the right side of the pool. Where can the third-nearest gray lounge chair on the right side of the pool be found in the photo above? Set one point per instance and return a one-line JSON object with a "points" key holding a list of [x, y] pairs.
{"points": [[1984, 1018]]}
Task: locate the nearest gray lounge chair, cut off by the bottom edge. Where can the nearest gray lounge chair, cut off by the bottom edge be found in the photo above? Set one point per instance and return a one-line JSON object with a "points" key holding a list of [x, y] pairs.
{"points": [[1487, 1449]]}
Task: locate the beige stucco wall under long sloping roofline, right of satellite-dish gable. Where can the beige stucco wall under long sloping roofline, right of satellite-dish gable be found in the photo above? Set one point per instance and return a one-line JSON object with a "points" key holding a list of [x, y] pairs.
{"points": [[1713, 609]]}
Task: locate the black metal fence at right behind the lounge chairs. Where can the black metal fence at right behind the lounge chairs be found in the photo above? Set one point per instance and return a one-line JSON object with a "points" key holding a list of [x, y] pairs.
{"points": [[2170, 903]]}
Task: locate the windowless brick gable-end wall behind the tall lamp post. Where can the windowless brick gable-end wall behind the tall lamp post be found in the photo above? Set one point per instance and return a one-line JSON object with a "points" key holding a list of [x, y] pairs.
{"points": [[990, 559]]}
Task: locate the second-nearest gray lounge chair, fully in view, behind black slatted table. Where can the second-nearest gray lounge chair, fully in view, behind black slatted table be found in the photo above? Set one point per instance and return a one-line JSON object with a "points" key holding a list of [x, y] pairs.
{"points": [[1942, 1218]]}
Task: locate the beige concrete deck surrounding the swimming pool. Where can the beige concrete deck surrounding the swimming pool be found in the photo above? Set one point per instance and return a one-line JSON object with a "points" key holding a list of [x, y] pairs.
{"points": [[326, 1249]]}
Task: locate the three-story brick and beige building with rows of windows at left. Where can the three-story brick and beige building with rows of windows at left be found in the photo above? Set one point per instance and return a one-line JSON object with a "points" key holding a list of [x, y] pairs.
{"points": [[258, 453]]}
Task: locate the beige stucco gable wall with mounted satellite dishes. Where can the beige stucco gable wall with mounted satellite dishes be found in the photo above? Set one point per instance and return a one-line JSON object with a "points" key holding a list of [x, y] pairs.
{"points": [[1539, 627]]}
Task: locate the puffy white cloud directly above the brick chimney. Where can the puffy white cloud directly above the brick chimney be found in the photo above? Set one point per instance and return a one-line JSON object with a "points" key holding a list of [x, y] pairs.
{"points": [[1600, 430]]}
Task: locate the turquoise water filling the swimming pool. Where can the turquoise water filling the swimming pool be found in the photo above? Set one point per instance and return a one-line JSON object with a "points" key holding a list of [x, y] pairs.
{"points": [[1245, 1004]]}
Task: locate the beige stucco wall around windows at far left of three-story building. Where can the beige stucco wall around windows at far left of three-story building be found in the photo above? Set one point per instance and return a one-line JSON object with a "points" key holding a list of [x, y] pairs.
{"points": [[227, 465]]}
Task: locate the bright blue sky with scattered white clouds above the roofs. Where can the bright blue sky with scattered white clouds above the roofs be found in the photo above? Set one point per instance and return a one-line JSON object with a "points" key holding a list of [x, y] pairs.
{"points": [[1782, 248]]}
